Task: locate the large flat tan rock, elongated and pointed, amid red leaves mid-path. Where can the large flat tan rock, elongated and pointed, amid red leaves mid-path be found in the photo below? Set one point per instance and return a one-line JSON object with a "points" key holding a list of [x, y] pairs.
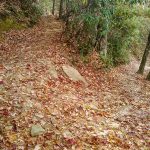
{"points": [[73, 74]]}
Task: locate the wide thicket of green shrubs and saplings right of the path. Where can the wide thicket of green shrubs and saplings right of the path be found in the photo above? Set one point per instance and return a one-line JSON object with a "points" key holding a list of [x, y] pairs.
{"points": [[119, 26]]}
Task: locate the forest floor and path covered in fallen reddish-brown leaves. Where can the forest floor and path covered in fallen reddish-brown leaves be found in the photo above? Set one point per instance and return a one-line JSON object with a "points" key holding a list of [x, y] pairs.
{"points": [[111, 113]]}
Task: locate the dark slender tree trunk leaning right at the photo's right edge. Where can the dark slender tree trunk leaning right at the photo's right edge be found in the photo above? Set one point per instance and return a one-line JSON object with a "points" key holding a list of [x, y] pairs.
{"points": [[145, 56]]}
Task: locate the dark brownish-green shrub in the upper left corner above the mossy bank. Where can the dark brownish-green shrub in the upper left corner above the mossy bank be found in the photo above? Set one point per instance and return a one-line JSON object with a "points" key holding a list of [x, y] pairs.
{"points": [[26, 11]]}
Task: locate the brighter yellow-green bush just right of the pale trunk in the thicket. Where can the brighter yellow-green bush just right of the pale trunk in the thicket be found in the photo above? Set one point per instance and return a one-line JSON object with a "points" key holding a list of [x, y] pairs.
{"points": [[123, 32]]}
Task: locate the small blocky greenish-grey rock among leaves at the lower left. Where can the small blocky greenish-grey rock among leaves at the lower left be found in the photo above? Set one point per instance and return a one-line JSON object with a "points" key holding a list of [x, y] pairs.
{"points": [[36, 130]]}
